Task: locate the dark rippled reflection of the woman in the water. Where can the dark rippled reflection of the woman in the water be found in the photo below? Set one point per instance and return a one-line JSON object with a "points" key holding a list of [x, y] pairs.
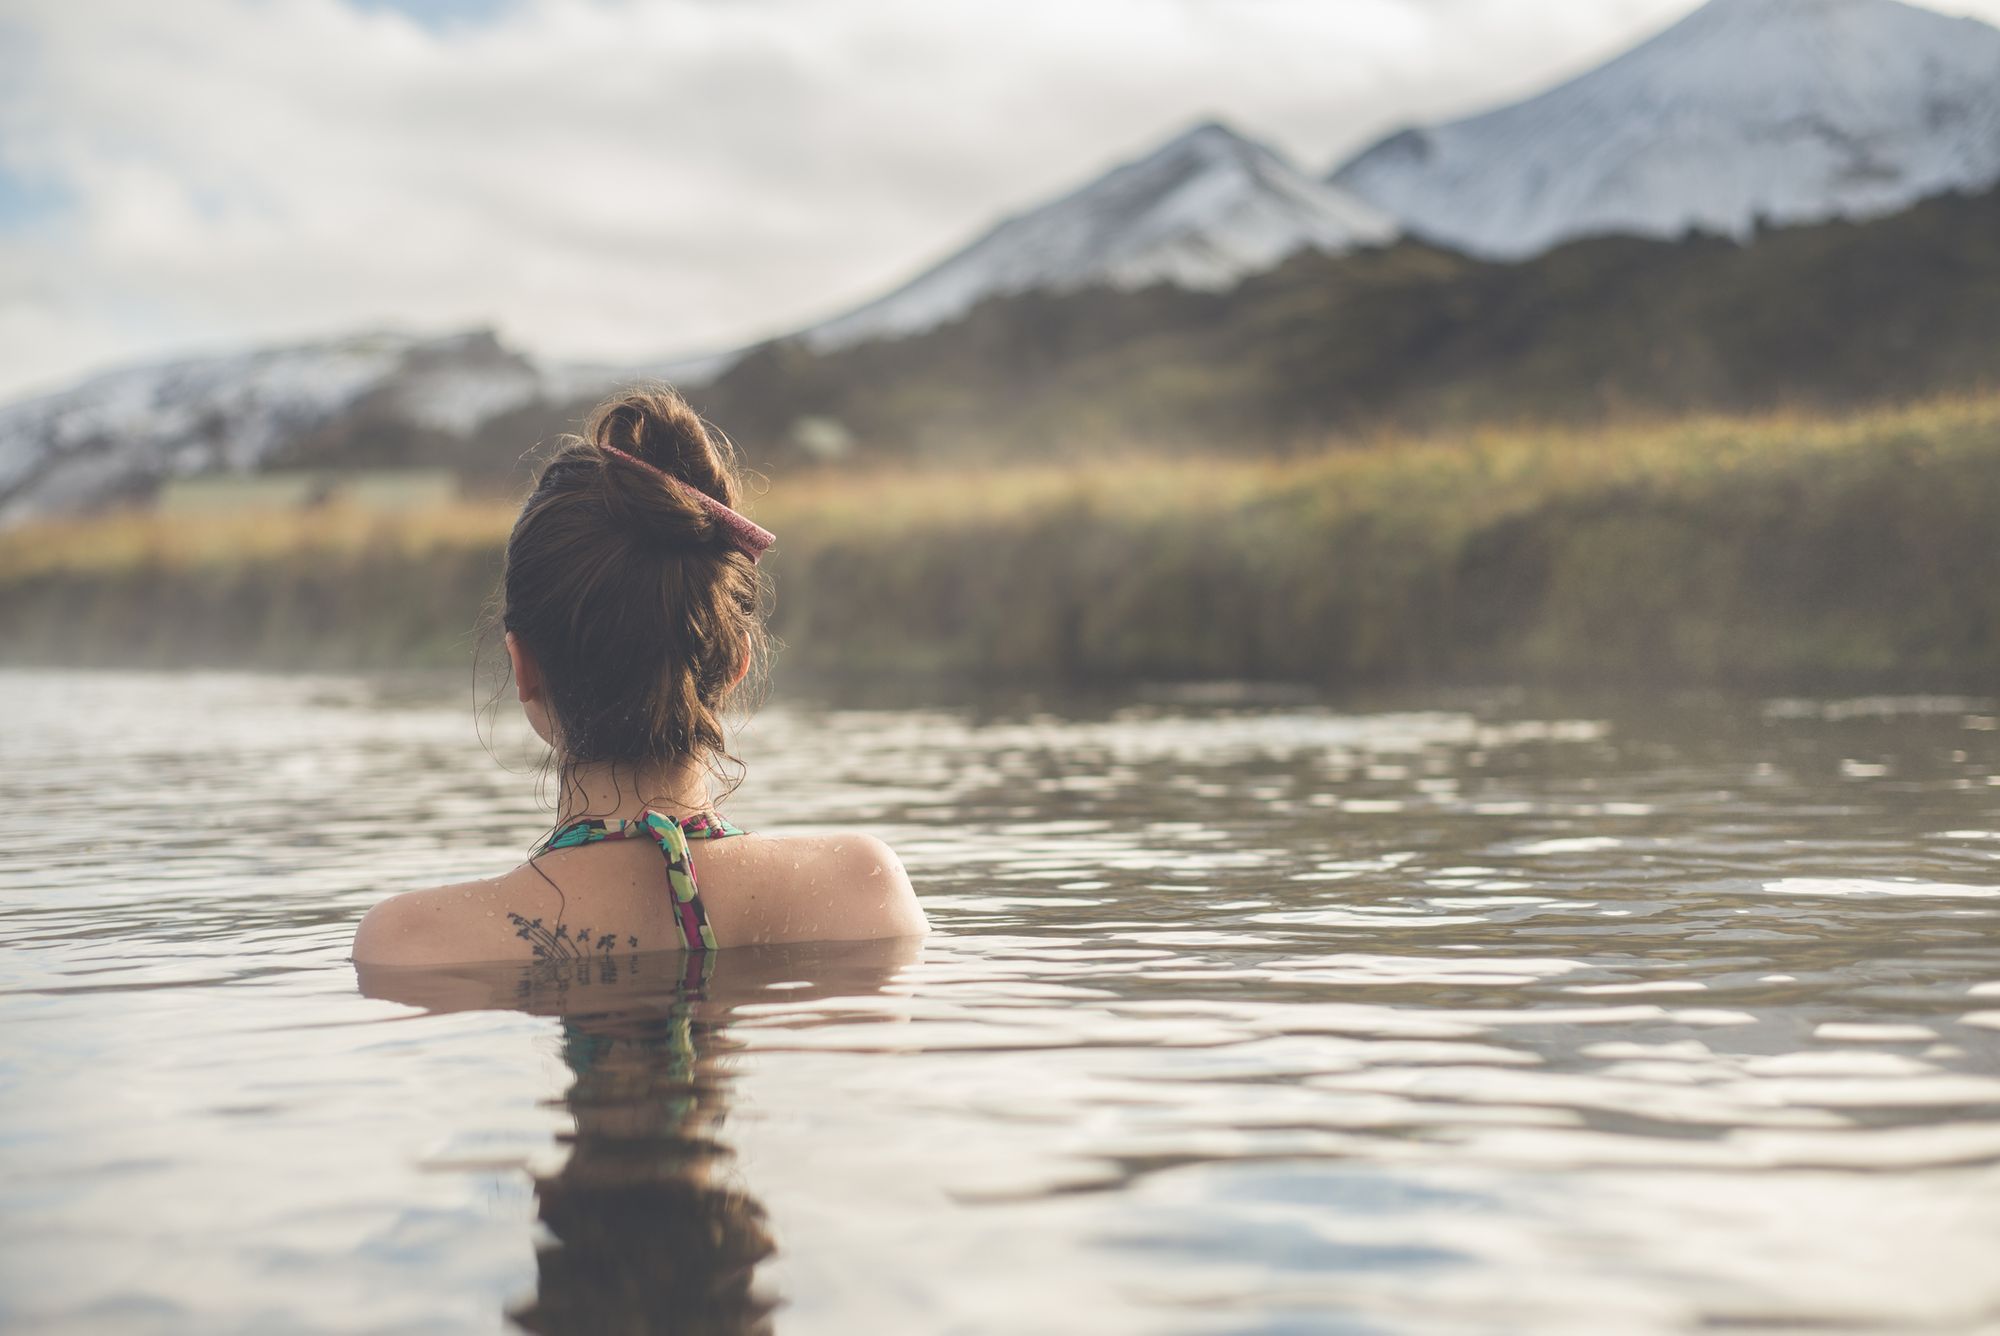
{"points": [[647, 1231]]}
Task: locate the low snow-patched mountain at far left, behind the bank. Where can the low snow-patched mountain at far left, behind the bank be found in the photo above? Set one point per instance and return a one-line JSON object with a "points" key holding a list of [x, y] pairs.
{"points": [[121, 433]]}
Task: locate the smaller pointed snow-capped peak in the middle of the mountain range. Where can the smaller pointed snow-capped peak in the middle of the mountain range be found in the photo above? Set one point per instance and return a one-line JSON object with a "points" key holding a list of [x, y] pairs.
{"points": [[1205, 211]]}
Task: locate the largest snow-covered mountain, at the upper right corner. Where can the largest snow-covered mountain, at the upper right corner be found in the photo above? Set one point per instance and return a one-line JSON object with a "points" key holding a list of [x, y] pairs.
{"points": [[1789, 111]]}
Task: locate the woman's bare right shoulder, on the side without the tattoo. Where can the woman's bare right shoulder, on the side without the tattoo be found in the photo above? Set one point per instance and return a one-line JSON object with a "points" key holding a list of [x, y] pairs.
{"points": [[823, 887]]}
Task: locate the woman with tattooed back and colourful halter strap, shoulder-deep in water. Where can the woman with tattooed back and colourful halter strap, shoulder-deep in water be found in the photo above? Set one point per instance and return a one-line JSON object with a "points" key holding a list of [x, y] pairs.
{"points": [[633, 611]]}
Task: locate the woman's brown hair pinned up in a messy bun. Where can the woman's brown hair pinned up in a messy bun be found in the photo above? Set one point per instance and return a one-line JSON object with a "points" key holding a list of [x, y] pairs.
{"points": [[627, 593]]}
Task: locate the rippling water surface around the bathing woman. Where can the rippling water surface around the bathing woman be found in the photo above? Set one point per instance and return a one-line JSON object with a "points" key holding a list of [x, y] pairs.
{"points": [[1455, 1015]]}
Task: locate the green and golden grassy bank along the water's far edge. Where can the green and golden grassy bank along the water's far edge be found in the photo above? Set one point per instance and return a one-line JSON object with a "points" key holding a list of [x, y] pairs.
{"points": [[1777, 551]]}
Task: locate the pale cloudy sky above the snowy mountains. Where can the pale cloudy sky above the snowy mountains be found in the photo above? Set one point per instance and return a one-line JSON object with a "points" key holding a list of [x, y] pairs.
{"points": [[627, 181]]}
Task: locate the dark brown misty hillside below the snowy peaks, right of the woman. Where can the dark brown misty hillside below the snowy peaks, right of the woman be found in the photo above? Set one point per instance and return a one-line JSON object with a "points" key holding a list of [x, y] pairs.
{"points": [[1831, 315]]}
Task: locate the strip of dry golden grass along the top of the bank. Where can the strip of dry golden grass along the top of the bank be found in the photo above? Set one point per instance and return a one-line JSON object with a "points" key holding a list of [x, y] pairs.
{"points": [[1469, 477]]}
